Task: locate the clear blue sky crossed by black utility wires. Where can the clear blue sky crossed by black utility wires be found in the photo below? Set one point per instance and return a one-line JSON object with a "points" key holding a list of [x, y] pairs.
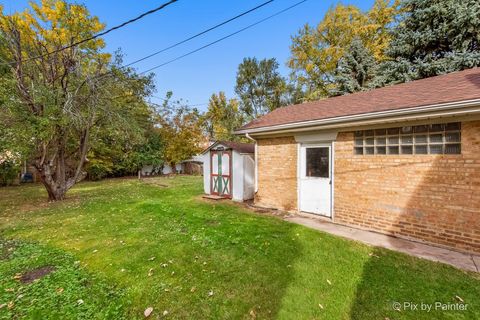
{"points": [[195, 78]]}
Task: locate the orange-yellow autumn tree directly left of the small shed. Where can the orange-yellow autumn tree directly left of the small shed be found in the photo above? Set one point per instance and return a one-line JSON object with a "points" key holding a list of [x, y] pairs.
{"points": [[180, 129]]}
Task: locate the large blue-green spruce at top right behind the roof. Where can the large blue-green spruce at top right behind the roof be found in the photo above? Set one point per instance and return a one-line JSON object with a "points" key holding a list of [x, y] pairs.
{"points": [[432, 38]]}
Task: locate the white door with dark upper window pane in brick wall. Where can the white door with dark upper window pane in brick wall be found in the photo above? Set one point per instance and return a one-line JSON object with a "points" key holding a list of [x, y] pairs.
{"points": [[316, 179]]}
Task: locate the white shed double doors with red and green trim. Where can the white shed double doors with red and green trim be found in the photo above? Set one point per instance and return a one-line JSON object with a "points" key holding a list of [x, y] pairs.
{"points": [[221, 177]]}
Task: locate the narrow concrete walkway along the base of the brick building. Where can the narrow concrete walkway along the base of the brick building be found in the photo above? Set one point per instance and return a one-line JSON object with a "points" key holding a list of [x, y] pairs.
{"points": [[457, 259]]}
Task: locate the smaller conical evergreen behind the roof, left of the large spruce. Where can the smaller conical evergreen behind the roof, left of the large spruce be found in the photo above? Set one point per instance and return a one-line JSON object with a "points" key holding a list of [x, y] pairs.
{"points": [[356, 70]]}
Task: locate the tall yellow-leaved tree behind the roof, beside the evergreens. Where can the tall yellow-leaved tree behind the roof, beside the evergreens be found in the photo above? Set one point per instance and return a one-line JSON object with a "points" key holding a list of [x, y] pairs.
{"points": [[315, 52]]}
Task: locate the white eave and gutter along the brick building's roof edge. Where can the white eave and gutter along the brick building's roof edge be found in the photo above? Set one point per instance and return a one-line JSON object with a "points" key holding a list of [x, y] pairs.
{"points": [[457, 108]]}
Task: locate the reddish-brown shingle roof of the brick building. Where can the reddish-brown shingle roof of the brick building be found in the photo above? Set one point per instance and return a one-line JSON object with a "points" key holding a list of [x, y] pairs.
{"points": [[452, 87]]}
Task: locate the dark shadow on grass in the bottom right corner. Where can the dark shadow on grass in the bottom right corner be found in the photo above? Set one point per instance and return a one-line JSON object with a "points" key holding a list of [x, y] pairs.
{"points": [[397, 286]]}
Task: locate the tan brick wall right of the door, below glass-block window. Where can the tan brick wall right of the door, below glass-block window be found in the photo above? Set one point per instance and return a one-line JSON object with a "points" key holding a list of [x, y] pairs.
{"points": [[432, 198]]}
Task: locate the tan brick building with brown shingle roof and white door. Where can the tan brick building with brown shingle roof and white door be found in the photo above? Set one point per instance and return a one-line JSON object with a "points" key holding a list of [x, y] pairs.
{"points": [[402, 160]]}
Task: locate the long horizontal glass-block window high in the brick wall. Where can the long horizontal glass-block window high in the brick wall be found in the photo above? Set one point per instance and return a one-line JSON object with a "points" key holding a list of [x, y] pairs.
{"points": [[423, 139]]}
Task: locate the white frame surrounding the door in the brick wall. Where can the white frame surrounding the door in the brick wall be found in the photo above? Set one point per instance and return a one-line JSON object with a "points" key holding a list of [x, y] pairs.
{"points": [[330, 145]]}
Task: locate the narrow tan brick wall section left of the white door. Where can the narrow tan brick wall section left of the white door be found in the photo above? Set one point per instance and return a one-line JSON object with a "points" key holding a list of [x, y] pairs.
{"points": [[277, 173]]}
